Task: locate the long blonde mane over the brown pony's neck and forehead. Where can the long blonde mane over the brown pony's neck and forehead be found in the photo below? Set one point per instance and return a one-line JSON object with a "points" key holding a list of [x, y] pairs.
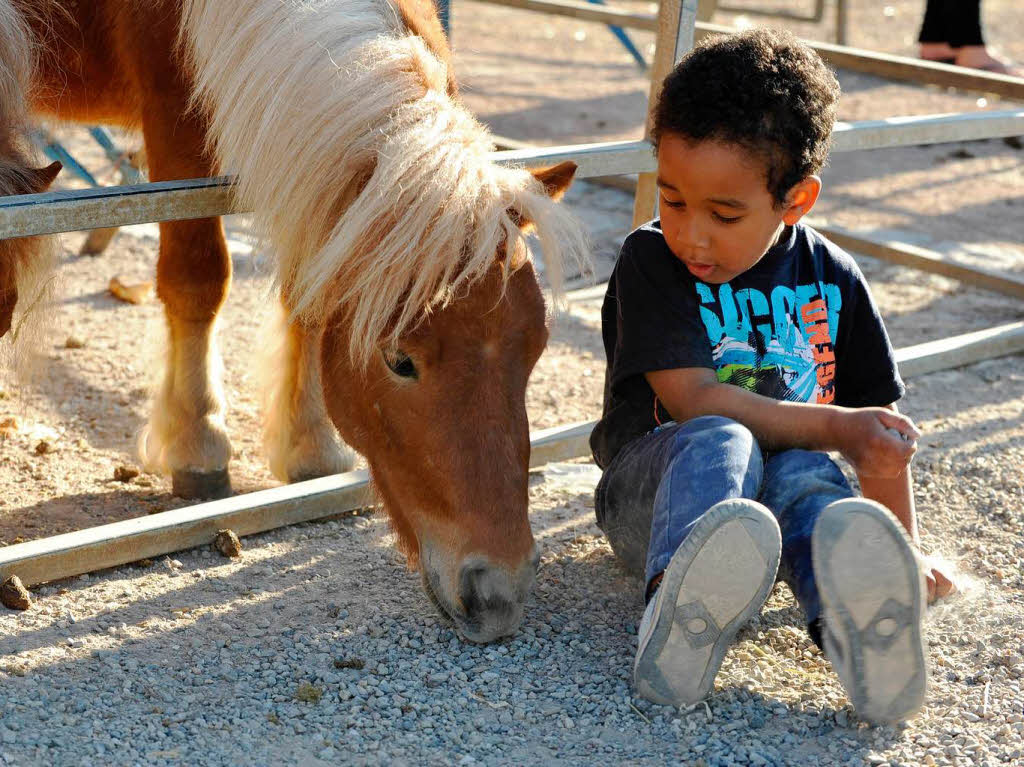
{"points": [[373, 185]]}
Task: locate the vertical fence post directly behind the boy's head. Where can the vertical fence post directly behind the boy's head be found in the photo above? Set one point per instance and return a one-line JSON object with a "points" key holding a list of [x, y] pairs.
{"points": [[676, 20]]}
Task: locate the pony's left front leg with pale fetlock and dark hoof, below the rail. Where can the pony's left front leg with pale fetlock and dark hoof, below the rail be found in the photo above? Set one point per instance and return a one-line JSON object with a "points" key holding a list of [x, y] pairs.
{"points": [[186, 437]]}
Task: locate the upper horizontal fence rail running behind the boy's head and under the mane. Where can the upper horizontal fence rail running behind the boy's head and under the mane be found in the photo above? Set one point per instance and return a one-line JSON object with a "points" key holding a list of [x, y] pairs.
{"points": [[54, 212]]}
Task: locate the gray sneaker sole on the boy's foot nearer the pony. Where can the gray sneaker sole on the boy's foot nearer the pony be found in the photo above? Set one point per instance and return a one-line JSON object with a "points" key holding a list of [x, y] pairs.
{"points": [[715, 583]]}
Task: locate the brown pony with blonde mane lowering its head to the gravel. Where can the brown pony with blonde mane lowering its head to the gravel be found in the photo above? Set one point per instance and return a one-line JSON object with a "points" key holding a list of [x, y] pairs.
{"points": [[413, 315]]}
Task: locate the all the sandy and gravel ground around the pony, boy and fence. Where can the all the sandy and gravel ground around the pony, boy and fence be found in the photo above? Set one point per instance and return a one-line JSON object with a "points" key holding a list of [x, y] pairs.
{"points": [[318, 647]]}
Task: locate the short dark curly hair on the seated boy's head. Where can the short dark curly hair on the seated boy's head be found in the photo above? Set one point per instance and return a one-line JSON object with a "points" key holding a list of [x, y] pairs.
{"points": [[764, 91]]}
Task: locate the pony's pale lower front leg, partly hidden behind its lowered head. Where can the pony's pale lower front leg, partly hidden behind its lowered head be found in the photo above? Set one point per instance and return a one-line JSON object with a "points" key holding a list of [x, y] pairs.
{"points": [[300, 439]]}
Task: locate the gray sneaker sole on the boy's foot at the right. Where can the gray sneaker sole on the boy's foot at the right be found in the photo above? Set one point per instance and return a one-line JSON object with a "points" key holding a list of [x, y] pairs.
{"points": [[873, 604]]}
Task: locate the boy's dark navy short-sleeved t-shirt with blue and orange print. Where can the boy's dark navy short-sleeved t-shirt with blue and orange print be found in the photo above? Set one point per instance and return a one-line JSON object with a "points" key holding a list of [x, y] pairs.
{"points": [[800, 326]]}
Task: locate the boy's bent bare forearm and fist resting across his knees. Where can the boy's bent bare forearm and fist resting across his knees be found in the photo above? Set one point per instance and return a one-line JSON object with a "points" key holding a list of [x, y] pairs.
{"points": [[861, 435]]}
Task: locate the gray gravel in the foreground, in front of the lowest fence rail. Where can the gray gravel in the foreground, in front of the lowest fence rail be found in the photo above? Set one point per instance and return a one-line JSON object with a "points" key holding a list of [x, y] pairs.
{"points": [[293, 655]]}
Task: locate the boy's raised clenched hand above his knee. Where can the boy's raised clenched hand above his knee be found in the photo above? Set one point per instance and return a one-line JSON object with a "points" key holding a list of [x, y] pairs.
{"points": [[878, 442]]}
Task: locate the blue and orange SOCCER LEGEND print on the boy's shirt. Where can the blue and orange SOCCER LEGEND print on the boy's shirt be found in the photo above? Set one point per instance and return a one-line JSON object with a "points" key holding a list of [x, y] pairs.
{"points": [[780, 346]]}
